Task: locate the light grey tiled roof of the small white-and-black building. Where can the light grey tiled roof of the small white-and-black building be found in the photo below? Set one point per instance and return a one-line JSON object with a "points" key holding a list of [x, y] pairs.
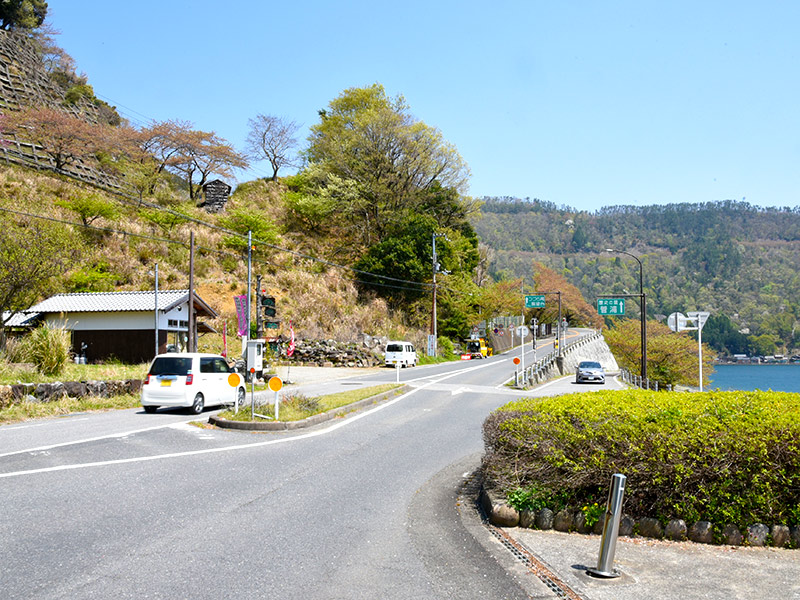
{"points": [[109, 301]]}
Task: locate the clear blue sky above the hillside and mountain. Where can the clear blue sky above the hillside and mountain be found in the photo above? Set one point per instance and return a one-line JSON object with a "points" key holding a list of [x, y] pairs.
{"points": [[581, 103]]}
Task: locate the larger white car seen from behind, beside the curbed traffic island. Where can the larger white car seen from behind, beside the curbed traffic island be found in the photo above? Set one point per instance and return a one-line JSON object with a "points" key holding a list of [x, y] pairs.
{"points": [[190, 380]]}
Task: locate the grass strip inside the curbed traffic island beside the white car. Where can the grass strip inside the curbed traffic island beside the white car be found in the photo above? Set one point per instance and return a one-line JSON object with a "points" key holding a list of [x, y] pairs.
{"points": [[297, 407]]}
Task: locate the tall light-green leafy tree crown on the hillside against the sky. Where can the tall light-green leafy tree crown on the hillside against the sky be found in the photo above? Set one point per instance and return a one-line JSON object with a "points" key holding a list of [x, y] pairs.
{"points": [[387, 157]]}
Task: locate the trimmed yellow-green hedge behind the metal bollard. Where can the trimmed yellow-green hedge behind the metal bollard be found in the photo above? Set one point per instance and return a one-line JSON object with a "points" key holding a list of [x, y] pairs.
{"points": [[724, 457]]}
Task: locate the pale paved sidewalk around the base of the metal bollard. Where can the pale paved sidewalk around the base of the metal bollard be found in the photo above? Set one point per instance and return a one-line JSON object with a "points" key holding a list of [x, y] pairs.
{"points": [[665, 570]]}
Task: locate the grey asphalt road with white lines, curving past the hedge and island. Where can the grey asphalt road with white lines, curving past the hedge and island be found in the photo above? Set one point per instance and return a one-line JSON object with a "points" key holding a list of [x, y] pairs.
{"points": [[130, 505]]}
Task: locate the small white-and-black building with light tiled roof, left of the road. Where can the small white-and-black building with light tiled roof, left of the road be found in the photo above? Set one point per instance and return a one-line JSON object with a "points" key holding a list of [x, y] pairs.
{"points": [[122, 325]]}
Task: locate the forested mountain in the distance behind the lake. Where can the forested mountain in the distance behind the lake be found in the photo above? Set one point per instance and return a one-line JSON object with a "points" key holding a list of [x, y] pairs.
{"points": [[733, 259]]}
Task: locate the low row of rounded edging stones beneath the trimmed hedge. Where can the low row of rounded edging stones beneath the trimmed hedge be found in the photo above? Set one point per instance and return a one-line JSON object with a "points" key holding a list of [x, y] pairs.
{"points": [[501, 514]]}
